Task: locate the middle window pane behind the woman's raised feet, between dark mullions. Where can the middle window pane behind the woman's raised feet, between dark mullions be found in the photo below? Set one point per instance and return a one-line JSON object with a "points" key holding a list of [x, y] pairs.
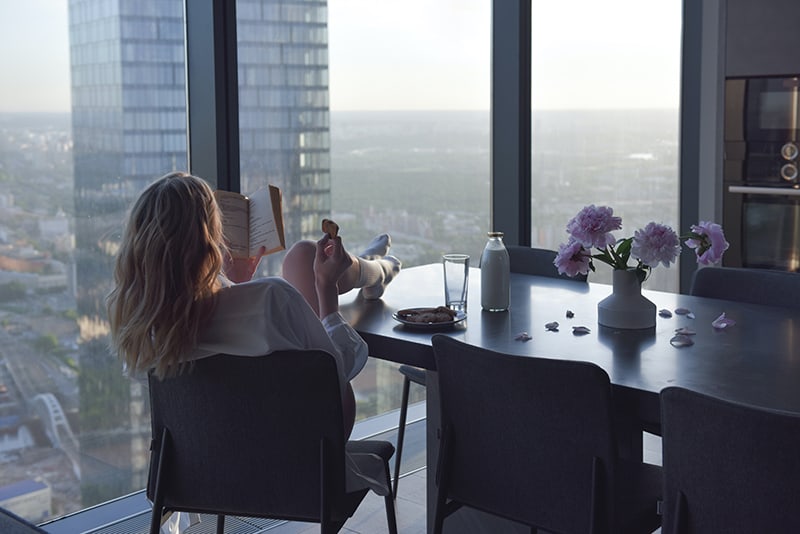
{"points": [[357, 120]]}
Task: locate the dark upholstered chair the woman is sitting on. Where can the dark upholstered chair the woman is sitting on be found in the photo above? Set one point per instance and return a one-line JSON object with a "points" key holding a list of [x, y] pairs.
{"points": [[255, 436]]}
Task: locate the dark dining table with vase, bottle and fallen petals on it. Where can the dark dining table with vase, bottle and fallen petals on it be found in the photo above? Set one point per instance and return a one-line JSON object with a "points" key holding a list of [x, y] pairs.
{"points": [[756, 361]]}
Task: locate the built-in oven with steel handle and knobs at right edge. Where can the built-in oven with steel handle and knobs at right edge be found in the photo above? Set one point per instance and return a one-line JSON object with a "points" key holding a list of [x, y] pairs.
{"points": [[761, 199]]}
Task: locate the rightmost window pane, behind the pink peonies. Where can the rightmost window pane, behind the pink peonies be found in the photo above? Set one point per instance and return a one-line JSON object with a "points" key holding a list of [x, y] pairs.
{"points": [[605, 94]]}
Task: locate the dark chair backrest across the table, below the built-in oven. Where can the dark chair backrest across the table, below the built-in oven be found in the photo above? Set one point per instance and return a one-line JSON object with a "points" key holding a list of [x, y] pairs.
{"points": [[755, 286]]}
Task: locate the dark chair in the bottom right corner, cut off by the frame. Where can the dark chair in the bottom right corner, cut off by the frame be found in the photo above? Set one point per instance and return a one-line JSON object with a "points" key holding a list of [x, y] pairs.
{"points": [[728, 467]]}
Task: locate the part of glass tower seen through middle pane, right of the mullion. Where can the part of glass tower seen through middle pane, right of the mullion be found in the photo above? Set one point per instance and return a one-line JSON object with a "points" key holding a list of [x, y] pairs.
{"points": [[284, 124]]}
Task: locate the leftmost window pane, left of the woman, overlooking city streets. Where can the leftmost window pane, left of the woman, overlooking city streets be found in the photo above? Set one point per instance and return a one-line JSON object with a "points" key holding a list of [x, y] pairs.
{"points": [[95, 111]]}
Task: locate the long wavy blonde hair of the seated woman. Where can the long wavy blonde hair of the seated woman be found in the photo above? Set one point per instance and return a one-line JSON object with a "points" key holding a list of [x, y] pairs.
{"points": [[165, 274]]}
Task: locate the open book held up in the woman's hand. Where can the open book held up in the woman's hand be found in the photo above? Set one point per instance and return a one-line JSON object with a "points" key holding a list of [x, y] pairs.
{"points": [[252, 221]]}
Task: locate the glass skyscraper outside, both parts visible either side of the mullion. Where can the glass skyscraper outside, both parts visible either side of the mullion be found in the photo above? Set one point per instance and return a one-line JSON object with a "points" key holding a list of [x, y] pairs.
{"points": [[129, 127]]}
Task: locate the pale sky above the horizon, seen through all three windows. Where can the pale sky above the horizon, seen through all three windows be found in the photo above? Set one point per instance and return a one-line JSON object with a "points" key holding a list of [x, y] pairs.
{"points": [[416, 54]]}
